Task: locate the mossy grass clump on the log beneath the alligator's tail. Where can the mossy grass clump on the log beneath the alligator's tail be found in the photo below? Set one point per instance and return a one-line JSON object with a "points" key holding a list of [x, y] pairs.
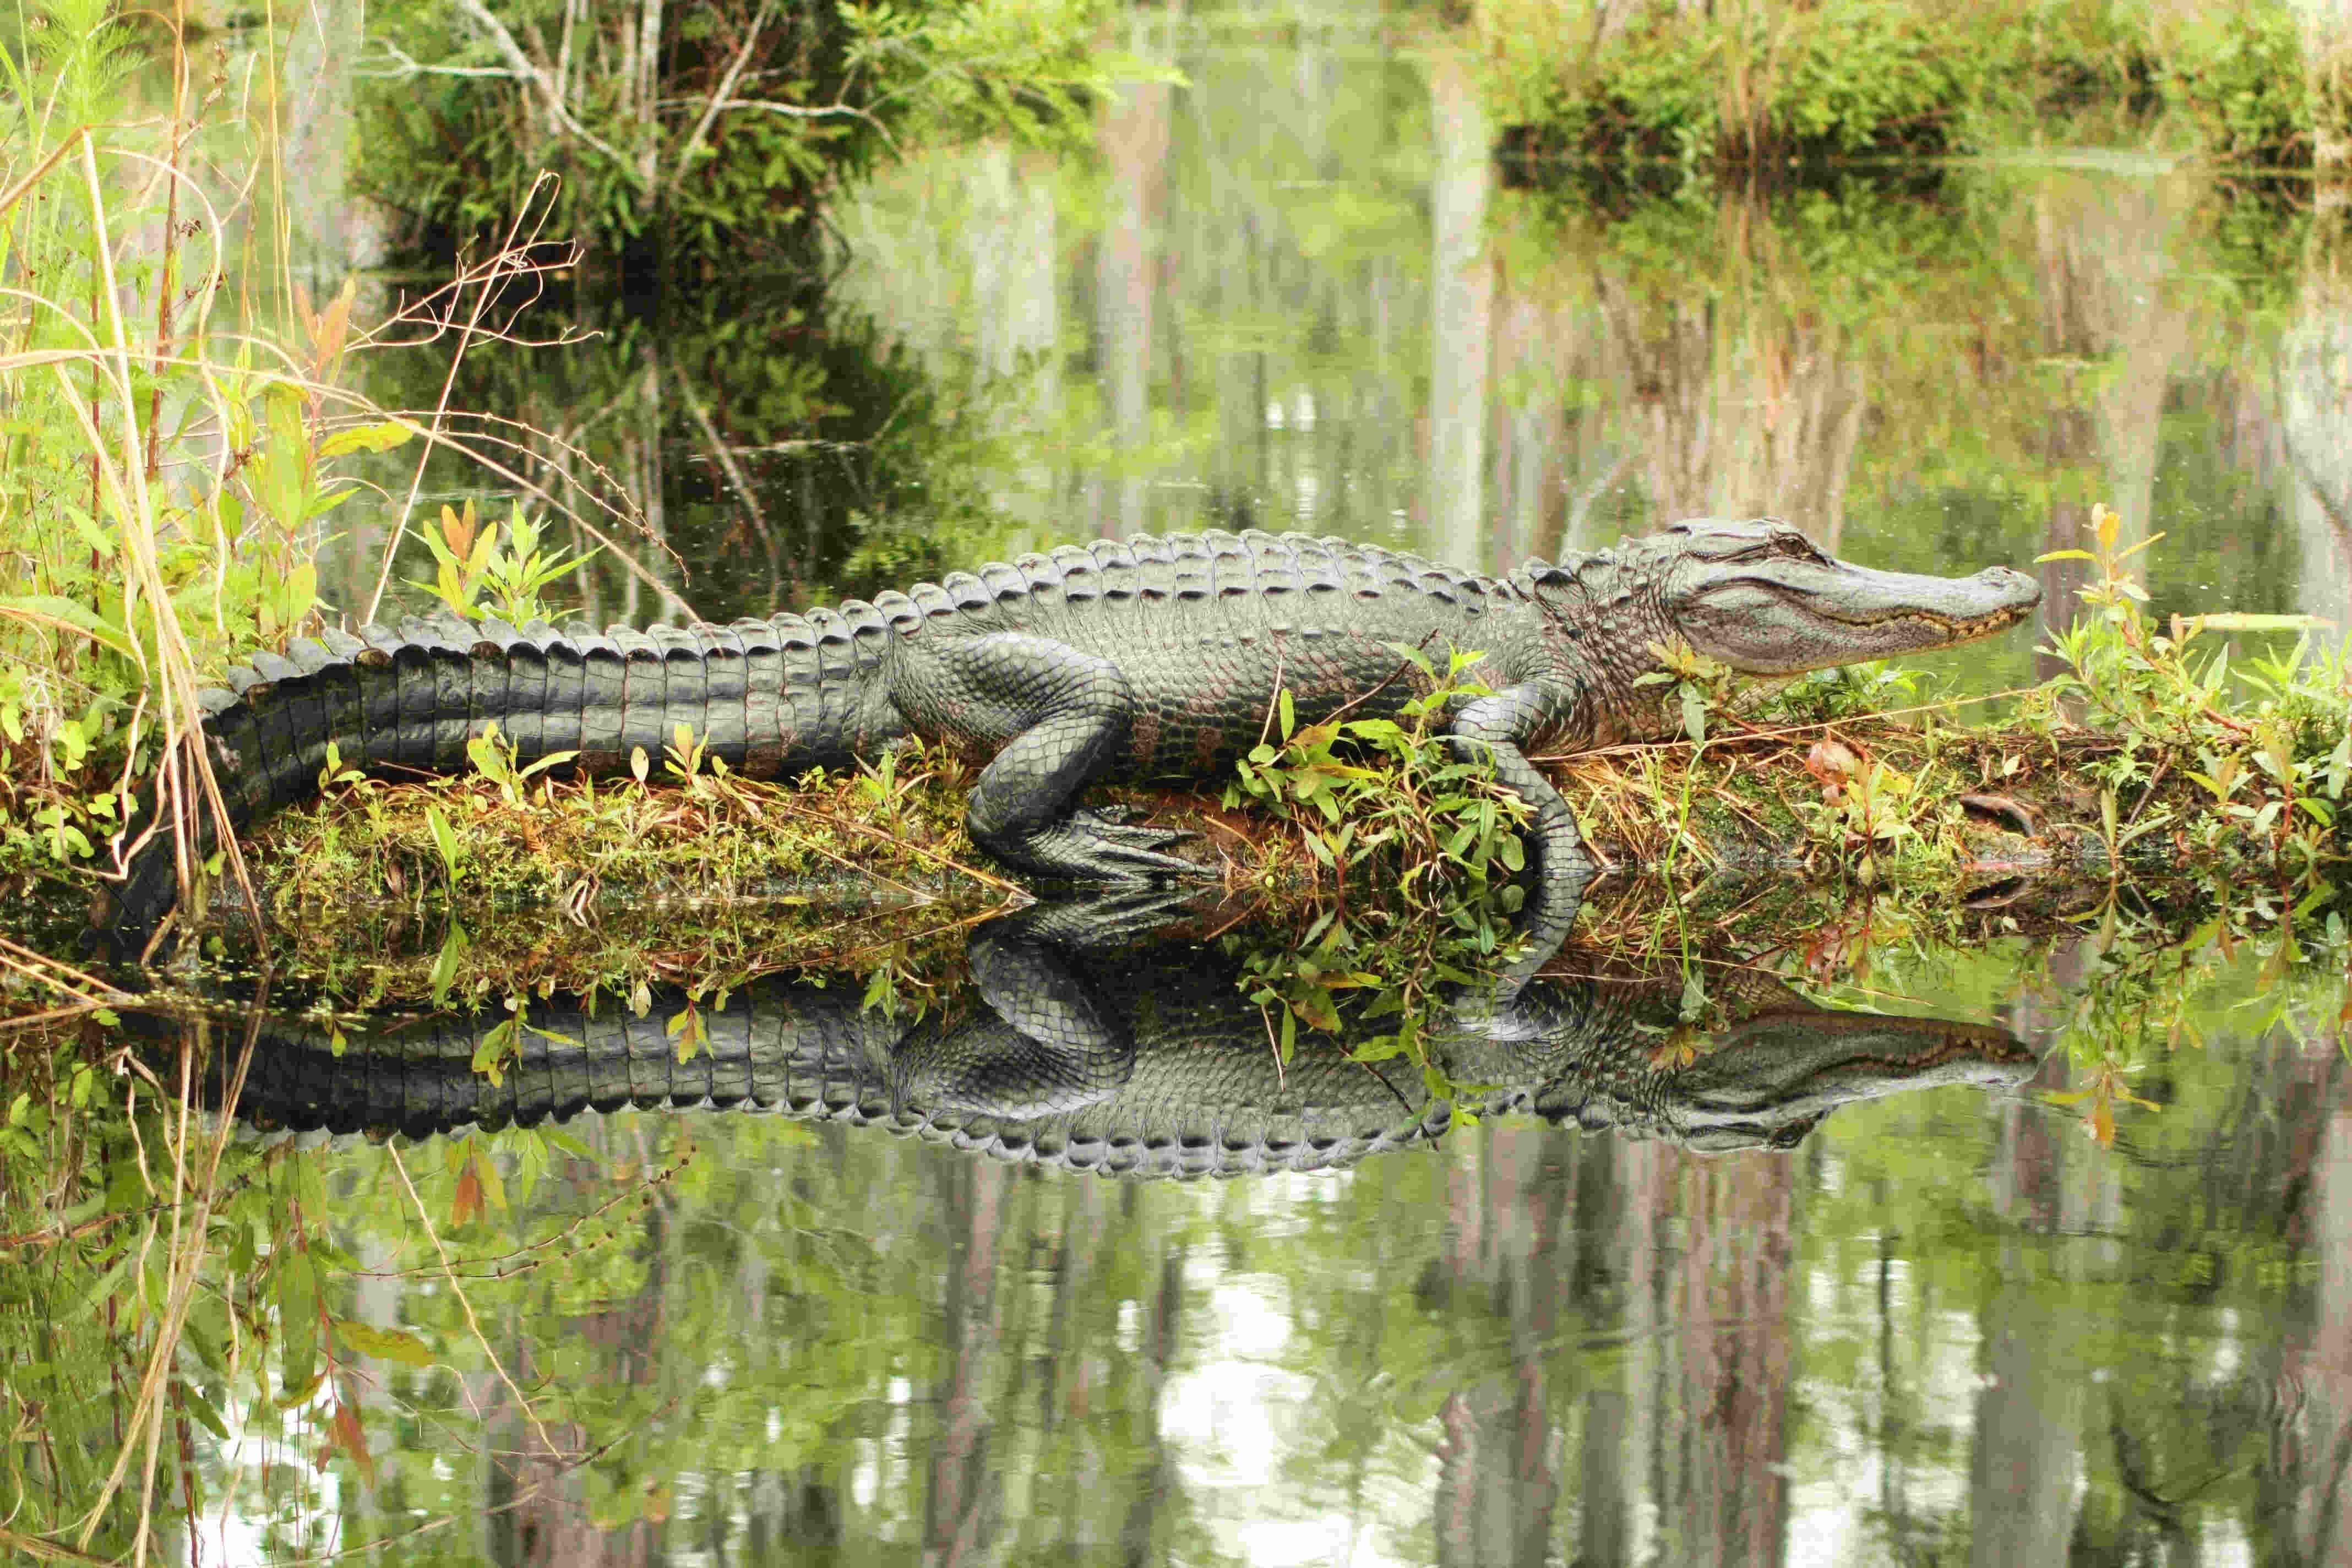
{"points": [[436, 890]]}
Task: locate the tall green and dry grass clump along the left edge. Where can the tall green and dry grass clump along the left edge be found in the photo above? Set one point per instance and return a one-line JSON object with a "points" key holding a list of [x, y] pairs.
{"points": [[168, 462]]}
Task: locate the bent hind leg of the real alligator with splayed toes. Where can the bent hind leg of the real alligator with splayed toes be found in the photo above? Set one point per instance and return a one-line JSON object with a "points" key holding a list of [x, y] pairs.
{"points": [[1062, 718]]}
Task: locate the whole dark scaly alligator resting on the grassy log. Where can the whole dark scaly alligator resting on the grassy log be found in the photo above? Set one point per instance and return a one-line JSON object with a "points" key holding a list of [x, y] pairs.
{"points": [[1147, 659]]}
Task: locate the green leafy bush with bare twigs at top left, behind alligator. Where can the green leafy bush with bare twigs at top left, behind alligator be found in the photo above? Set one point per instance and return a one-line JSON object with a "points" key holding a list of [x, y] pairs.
{"points": [[716, 154]]}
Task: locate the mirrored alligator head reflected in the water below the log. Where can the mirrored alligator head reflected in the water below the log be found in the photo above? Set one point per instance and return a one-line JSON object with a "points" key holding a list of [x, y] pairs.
{"points": [[1772, 1078]]}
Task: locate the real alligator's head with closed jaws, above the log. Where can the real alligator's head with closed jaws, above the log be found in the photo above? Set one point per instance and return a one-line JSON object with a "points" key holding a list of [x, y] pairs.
{"points": [[1765, 601]]}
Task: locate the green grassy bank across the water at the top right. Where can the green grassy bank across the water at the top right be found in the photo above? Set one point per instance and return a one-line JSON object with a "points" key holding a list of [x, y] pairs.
{"points": [[1770, 83]]}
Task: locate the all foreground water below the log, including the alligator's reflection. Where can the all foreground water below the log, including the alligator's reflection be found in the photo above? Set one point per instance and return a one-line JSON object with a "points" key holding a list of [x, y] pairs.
{"points": [[773, 1334]]}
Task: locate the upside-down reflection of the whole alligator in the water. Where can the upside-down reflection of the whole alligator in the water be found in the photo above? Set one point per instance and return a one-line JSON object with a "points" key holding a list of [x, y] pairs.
{"points": [[1144, 1064]]}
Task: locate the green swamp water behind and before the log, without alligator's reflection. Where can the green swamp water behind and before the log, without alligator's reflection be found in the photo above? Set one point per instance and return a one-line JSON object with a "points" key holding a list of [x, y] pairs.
{"points": [[1292, 293]]}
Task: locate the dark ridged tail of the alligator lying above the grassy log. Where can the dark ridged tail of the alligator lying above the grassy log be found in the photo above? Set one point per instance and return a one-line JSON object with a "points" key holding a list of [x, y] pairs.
{"points": [[768, 697]]}
